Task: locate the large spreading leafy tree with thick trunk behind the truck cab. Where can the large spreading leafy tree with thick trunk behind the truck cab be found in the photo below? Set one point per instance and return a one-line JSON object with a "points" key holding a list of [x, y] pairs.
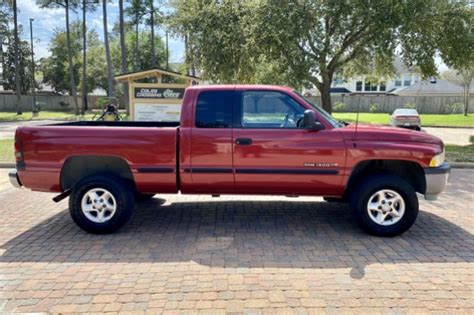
{"points": [[311, 40]]}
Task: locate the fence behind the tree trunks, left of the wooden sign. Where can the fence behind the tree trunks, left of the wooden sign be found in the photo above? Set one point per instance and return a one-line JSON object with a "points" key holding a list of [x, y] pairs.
{"points": [[48, 102]]}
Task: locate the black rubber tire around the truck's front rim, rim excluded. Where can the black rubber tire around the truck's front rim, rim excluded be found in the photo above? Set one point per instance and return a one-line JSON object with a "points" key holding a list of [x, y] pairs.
{"points": [[366, 189]]}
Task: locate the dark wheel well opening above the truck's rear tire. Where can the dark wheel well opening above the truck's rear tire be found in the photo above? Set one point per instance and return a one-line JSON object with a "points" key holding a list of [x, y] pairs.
{"points": [[76, 168]]}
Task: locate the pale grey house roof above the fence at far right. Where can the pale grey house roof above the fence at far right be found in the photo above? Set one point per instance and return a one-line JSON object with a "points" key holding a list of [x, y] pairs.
{"points": [[432, 88]]}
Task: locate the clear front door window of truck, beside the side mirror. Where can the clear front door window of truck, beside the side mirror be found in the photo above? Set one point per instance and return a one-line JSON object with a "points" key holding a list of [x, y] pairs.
{"points": [[270, 109]]}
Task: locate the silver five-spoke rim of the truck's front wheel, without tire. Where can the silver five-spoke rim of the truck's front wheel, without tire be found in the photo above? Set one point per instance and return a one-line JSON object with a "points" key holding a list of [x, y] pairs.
{"points": [[386, 207]]}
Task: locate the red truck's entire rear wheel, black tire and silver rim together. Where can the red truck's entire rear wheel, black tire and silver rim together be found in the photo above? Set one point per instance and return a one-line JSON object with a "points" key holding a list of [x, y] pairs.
{"points": [[101, 204]]}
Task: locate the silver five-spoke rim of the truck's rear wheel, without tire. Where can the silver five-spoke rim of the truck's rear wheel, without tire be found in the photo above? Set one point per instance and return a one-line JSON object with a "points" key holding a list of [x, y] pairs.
{"points": [[98, 205]]}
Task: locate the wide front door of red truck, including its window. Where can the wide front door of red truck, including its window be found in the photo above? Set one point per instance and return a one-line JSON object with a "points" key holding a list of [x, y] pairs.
{"points": [[273, 155]]}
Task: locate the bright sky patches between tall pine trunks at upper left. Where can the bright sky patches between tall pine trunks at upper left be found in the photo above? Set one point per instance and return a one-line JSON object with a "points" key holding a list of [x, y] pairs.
{"points": [[46, 20]]}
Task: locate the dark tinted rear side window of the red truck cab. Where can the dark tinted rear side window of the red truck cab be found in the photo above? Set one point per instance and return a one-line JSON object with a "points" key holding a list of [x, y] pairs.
{"points": [[214, 109]]}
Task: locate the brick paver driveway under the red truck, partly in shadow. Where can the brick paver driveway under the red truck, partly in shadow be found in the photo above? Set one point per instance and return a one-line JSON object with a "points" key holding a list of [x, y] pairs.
{"points": [[237, 254]]}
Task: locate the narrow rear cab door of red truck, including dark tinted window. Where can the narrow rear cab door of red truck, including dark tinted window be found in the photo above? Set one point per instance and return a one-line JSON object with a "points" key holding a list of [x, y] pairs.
{"points": [[211, 143]]}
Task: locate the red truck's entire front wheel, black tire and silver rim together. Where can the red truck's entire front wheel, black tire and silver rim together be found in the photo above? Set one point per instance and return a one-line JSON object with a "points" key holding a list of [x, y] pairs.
{"points": [[385, 205]]}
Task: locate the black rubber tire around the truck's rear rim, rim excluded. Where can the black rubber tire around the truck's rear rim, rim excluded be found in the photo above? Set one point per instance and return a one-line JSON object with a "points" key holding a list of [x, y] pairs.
{"points": [[122, 193]]}
